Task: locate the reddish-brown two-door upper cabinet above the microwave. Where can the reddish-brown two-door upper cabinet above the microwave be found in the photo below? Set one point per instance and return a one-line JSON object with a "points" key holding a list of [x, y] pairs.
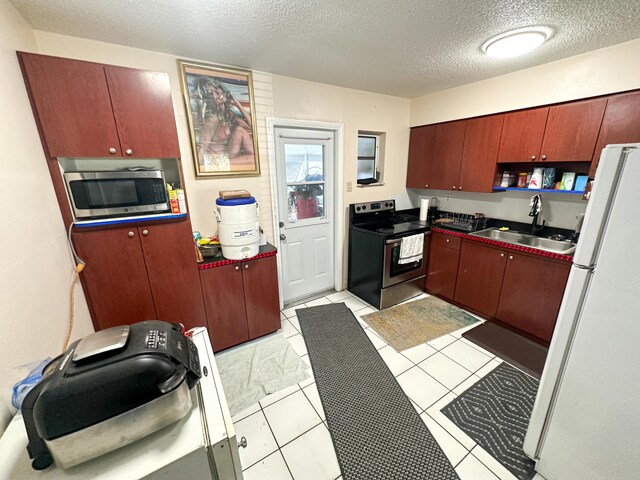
{"points": [[86, 109]]}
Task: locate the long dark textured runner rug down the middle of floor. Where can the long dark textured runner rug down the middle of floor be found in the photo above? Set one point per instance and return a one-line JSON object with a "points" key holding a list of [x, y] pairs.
{"points": [[376, 432]]}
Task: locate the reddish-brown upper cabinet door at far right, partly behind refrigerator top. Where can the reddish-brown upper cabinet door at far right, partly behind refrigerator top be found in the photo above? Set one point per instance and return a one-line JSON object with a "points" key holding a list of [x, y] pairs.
{"points": [[621, 124]]}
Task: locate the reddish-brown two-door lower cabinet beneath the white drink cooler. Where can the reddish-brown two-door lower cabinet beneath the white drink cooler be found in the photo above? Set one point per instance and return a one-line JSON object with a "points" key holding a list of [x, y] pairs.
{"points": [[241, 301]]}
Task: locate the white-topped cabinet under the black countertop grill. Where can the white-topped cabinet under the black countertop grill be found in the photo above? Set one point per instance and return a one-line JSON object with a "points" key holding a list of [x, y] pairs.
{"points": [[201, 445]]}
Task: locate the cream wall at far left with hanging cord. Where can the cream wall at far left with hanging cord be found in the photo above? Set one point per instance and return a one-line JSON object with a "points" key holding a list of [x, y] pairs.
{"points": [[36, 265]]}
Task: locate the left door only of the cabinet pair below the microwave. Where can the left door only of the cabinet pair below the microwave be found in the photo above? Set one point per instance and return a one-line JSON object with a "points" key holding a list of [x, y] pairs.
{"points": [[114, 278]]}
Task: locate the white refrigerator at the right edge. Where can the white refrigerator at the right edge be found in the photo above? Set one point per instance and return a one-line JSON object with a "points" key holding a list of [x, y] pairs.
{"points": [[585, 422]]}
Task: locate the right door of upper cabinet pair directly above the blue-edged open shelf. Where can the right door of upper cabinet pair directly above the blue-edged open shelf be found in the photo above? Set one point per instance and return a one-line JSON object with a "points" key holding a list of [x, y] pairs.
{"points": [[572, 131]]}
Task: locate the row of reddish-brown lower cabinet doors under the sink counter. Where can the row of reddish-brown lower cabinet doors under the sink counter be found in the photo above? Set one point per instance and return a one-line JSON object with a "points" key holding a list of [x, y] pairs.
{"points": [[521, 290]]}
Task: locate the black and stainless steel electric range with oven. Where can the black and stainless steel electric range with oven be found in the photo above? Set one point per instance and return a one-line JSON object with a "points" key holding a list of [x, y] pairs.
{"points": [[375, 235]]}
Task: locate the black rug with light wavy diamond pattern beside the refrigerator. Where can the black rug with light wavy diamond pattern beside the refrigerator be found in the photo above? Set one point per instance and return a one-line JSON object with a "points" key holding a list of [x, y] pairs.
{"points": [[495, 412]]}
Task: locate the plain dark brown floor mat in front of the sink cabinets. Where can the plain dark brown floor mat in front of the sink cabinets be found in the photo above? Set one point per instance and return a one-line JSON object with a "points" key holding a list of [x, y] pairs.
{"points": [[510, 346]]}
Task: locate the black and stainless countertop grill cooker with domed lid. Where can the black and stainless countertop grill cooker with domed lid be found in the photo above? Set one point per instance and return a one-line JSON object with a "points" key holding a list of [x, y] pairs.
{"points": [[108, 390]]}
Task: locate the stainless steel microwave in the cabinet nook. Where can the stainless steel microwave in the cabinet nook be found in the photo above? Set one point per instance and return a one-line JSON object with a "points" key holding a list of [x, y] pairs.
{"points": [[122, 193]]}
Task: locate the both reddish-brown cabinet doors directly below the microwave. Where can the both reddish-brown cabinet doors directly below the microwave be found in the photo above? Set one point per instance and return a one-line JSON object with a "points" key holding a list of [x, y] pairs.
{"points": [[141, 273]]}
